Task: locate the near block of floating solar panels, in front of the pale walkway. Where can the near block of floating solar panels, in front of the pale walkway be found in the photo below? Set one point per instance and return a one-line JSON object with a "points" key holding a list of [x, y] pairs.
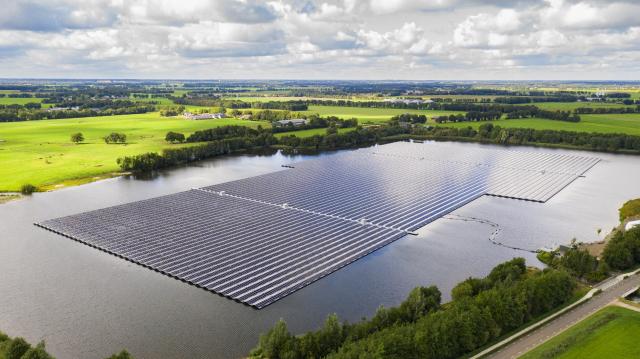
{"points": [[251, 252]]}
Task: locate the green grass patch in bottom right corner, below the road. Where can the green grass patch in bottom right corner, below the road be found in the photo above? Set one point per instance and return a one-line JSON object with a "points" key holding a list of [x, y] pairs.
{"points": [[612, 332]]}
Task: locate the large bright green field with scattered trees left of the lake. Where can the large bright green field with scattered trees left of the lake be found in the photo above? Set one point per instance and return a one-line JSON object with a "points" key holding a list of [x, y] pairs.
{"points": [[40, 152]]}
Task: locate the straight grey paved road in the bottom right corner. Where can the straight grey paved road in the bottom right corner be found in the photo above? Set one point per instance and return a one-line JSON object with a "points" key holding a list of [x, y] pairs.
{"points": [[545, 332]]}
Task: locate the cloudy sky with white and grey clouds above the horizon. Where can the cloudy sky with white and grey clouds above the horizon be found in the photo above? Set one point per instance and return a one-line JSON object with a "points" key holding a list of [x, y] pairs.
{"points": [[332, 39]]}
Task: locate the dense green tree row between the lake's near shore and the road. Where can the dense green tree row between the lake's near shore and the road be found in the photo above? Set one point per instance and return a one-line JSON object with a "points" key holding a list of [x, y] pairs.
{"points": [[481, 310]]}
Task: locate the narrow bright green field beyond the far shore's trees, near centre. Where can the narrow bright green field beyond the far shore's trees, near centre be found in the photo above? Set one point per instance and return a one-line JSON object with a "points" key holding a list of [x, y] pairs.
{"points": [[369, 115]]}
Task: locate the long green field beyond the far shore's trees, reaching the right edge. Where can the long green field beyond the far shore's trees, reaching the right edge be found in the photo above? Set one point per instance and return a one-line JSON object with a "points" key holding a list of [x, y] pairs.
{"points": [[627, 123]]}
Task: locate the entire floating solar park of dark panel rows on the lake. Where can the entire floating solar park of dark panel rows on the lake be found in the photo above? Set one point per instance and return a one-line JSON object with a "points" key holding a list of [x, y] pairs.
{"points": [[259, 239]]}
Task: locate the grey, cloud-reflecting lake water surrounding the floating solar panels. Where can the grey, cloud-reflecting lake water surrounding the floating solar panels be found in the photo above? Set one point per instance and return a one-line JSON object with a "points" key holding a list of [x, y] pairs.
{"points": [[88, 304]]}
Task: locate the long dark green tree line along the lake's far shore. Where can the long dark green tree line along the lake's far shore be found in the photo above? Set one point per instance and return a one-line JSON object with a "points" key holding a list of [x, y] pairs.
{"points": [[233, 138]]}
